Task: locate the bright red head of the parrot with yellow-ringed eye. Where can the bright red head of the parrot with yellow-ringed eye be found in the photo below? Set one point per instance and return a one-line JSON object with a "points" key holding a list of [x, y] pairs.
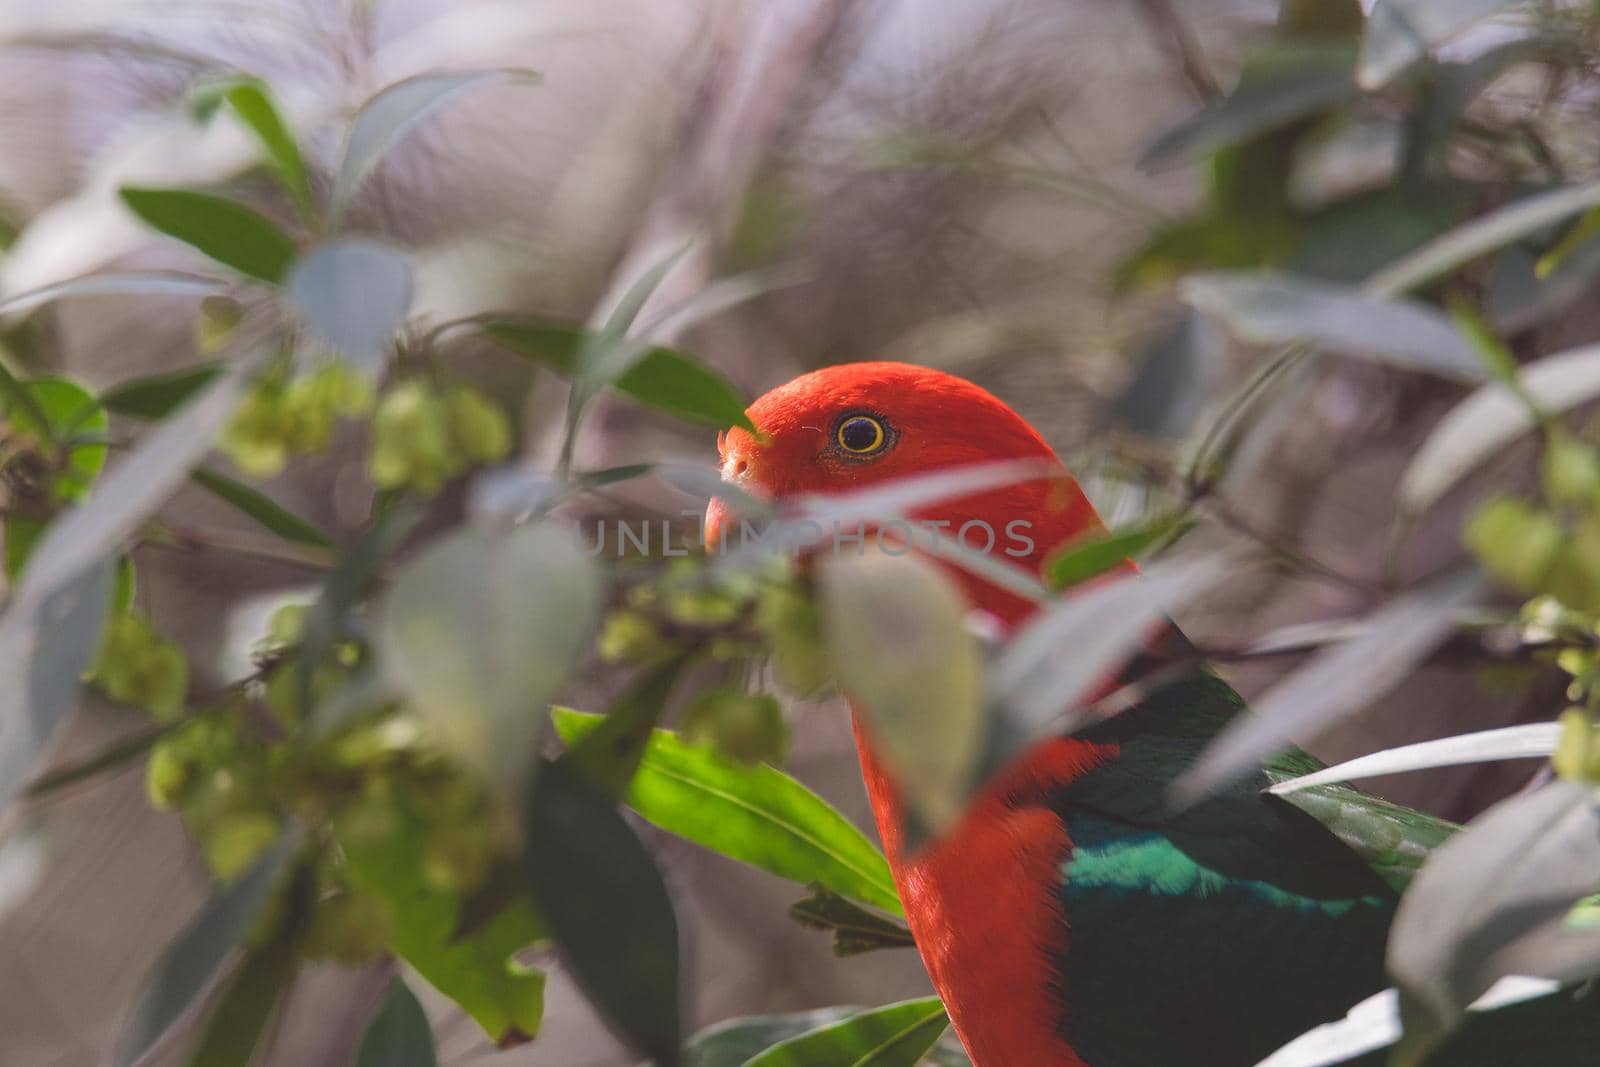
{"points": [[857, 425]]}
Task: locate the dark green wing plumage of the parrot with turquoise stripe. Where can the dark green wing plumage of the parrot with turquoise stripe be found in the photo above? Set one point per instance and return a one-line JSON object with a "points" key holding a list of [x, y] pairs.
{"points": [[1220, 933]]}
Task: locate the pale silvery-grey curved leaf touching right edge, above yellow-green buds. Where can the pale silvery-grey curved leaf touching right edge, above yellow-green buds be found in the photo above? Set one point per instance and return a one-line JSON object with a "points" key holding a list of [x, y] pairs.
{"points": [[1492, 418]]}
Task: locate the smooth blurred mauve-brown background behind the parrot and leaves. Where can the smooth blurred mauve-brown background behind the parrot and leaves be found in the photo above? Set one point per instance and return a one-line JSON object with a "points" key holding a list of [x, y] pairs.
{"points": [[951, 185]]}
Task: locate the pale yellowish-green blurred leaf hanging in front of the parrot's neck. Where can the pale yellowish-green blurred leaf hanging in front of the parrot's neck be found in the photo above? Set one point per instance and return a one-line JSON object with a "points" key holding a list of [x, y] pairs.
{"points": [[897, 636]]}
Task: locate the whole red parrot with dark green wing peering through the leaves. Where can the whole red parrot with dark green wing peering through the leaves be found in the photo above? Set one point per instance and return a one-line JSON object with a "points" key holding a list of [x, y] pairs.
{"points": [[1071, 919]]}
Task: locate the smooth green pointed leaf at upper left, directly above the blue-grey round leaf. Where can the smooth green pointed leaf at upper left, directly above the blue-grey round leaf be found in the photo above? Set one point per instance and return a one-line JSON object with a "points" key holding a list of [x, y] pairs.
{"points": [[223, 230]]}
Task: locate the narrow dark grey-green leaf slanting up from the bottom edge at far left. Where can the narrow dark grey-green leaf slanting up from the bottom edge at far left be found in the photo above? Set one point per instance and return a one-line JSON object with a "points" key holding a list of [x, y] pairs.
{"points": [[191, 962]]}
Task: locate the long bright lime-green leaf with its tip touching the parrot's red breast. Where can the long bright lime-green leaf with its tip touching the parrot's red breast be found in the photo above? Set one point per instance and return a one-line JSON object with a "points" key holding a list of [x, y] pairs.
{"points": [[750, 813]]}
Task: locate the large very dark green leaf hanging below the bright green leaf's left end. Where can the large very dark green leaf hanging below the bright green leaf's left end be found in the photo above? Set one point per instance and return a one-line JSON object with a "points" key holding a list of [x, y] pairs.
{"points": [[609, 911]]}
